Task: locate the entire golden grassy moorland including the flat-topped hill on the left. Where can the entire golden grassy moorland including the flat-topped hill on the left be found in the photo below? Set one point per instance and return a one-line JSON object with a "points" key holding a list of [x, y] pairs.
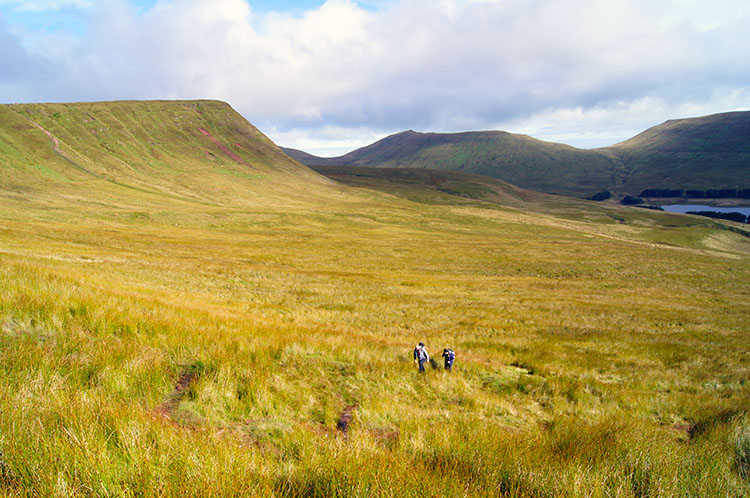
{"points": [[199, 326]]}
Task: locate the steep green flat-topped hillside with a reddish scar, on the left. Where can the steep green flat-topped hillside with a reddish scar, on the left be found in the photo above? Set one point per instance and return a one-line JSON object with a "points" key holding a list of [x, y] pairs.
{"points": [[149, 151]]}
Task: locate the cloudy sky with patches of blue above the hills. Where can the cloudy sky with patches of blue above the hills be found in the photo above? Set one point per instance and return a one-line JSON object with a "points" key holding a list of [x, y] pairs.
{"points": [[330, 76]]}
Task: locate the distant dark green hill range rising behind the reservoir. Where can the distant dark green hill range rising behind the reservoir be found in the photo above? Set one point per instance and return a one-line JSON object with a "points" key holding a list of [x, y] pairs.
{"points": [[711, 152]]}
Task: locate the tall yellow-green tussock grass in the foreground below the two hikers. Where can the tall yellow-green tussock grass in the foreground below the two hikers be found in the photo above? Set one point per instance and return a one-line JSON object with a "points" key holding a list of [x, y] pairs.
{"points": [[86, 379]]}
